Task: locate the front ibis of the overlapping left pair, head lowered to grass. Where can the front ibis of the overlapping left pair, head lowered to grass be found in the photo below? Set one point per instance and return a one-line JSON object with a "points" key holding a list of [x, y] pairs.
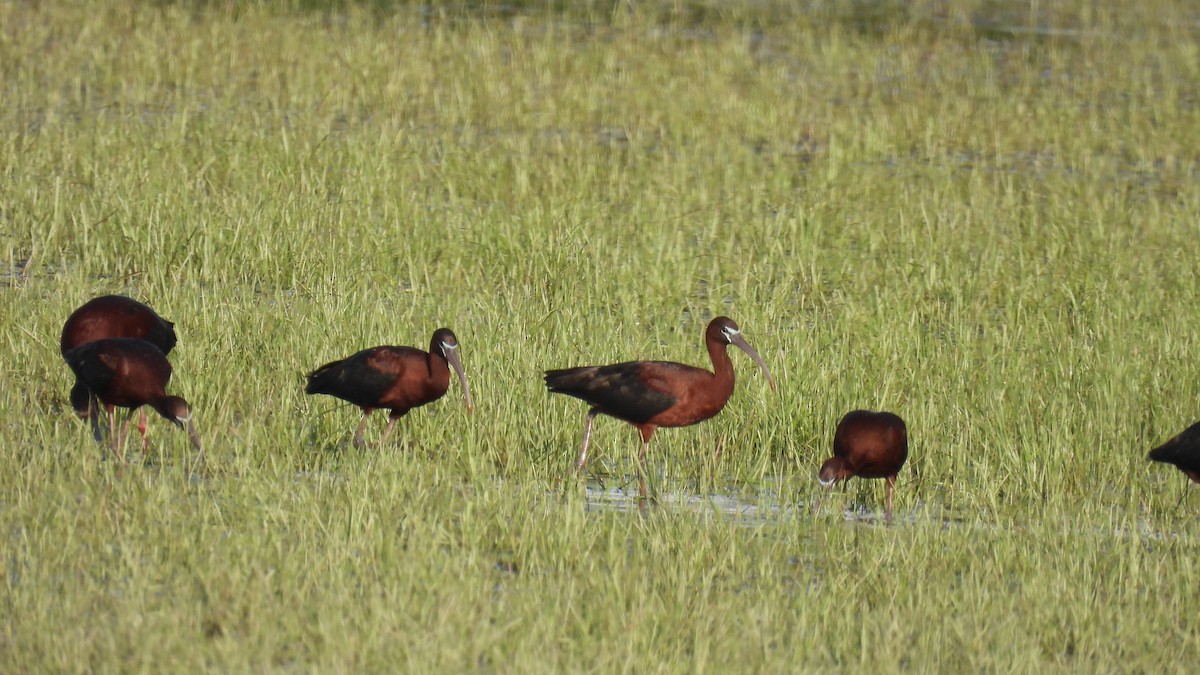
{"points": [[130, 374]]}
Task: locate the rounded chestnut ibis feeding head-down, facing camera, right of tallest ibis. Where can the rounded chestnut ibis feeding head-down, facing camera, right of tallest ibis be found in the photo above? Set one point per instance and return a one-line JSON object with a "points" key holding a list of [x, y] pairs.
{"points": [[868, 445]]}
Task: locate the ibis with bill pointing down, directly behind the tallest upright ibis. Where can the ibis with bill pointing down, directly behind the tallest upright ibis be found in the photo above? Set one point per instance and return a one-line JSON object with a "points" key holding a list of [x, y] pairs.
{"points": [[398, 379]]}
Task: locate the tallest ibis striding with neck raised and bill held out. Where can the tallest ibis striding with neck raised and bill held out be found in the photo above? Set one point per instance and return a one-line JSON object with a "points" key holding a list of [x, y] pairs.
{"points": [[652, 395]]}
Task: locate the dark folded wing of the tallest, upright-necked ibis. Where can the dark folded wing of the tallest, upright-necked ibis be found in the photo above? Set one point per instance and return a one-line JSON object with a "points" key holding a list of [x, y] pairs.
{"points": [[620, 391]]}
